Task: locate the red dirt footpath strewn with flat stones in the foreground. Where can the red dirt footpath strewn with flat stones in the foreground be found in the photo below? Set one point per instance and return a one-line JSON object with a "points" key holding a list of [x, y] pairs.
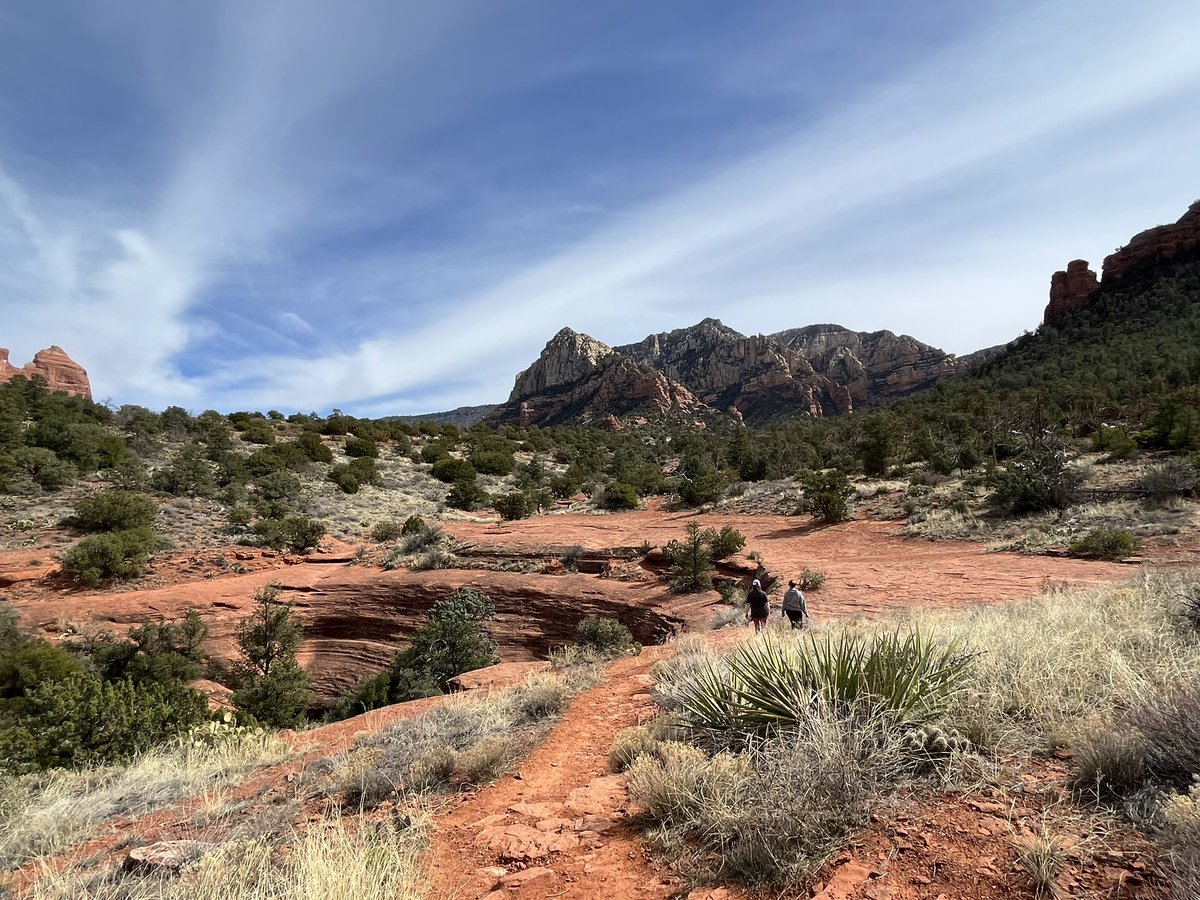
{"points": [[560, 827]]}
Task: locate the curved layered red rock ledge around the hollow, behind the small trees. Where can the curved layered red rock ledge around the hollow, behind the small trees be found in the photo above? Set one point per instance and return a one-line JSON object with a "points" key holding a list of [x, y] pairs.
{"points": [[357, 619]]}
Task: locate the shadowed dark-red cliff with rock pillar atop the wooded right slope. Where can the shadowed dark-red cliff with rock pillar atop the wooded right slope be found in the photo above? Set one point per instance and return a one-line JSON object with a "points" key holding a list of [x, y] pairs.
{"points": [[1073, 289]]}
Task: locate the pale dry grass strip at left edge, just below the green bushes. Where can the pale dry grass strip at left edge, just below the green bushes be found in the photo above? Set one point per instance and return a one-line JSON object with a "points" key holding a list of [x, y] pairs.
{"points": [[51, 812]]}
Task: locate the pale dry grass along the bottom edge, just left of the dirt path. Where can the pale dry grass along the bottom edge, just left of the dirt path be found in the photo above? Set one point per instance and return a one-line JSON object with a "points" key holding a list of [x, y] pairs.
{"points": [[335, 860]]}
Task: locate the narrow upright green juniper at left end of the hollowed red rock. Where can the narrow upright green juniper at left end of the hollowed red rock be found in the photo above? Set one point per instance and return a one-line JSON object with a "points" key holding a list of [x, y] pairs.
{"points": [[274, 688]]}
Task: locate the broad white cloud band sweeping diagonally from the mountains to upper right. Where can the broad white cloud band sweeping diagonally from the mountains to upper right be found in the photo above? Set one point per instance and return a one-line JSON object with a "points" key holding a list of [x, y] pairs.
{"points": [[741, 243]]}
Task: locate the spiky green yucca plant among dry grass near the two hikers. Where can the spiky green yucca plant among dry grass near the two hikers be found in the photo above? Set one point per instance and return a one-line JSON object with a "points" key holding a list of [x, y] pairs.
{"points": [[767, 685]]}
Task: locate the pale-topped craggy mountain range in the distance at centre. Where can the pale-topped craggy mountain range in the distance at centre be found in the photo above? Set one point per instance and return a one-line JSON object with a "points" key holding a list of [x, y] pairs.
{"points": [[711, 369]]}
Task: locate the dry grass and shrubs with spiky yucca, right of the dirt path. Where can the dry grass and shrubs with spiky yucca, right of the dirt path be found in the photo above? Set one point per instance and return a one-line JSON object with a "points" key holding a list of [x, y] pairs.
{"points": [[767, 758]]}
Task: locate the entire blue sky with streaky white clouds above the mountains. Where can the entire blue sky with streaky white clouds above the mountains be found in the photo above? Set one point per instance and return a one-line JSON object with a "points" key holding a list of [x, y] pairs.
{"points": [[391, 207]]}
